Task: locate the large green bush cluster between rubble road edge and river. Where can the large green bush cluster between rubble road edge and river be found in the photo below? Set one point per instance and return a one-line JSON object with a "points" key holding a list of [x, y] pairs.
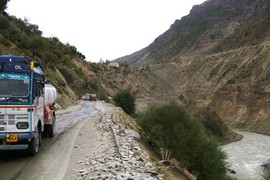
{"points": [[171, 128]]}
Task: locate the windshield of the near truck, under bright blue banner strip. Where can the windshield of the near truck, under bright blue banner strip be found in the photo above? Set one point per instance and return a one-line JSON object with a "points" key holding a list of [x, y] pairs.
{"points": [[14, 86]]}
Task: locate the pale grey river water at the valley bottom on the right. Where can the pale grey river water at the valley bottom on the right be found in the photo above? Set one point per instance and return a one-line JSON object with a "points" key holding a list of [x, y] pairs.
{"points": [[246, 156]]}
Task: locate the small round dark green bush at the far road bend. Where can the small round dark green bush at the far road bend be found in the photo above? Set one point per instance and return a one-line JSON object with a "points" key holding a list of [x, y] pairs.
{"points": [[125, 100]]}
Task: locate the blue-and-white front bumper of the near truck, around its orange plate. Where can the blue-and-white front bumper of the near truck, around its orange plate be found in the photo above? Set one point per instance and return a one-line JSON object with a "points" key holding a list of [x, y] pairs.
{"points": [[20, 144]]}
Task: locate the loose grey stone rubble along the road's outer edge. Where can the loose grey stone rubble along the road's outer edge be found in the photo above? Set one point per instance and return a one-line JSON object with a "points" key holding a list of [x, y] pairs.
{"points": [[126, 161]]}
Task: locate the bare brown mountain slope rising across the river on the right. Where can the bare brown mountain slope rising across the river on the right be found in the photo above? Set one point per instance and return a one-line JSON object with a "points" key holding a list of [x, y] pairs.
{"points": [[217, 57]]}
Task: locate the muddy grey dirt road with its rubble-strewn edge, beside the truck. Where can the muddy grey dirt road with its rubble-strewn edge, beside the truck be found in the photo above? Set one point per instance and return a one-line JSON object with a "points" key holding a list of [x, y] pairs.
{"points": [[89, 144]]}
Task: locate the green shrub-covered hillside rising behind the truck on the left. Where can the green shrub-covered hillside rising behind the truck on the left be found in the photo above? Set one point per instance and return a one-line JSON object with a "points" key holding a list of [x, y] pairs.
{"points": [[64, 65]]}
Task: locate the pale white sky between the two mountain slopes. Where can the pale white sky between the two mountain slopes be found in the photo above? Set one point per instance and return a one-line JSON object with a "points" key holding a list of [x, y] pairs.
{"points": [[102, 29]]}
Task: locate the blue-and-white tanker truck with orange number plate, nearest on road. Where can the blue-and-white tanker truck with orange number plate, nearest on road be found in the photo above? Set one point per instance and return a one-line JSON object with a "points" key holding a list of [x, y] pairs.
{"points": [[27, 104]]}
